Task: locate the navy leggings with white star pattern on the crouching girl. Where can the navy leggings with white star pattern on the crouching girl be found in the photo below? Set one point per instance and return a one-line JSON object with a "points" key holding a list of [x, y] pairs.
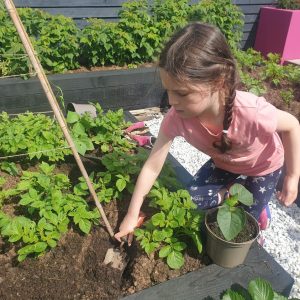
{"points": [[209, 180]]}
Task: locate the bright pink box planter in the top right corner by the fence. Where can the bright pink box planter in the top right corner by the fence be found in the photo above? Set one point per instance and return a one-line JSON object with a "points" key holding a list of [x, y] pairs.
{"points": [[279, 32]]}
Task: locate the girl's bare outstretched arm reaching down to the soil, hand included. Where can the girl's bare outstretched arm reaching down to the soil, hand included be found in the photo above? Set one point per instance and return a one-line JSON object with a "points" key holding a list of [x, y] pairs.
{"points": [[145, 181]]}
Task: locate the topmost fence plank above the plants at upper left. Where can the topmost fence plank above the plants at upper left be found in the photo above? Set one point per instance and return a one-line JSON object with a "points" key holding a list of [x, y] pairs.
{"points": [[70, 3]]}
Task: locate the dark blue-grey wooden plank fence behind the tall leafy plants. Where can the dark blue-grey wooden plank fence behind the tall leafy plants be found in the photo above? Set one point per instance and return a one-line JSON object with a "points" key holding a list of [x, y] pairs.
{"points": [[108, 10]]}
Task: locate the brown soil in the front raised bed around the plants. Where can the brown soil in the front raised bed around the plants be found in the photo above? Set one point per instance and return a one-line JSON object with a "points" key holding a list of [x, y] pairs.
{"points": [[75, 270]]}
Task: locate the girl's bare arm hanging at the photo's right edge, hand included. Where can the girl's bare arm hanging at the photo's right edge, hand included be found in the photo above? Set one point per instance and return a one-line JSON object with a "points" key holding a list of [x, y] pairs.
{"points": [[289, 128]]}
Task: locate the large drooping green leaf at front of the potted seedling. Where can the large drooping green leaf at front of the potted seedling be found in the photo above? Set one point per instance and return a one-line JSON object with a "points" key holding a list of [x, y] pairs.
{"points": [[231, 221]]}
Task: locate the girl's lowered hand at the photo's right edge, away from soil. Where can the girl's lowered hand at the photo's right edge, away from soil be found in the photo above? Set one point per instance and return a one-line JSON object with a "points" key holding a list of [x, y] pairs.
{"points": [[289, 190]]}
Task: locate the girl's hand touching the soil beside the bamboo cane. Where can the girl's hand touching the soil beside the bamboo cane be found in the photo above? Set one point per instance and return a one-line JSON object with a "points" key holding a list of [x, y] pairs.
{"points": [[128, 225]]}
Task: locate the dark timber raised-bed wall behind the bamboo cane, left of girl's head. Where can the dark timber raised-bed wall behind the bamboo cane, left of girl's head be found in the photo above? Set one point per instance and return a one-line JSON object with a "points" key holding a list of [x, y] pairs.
{"points": [[128, 89]]}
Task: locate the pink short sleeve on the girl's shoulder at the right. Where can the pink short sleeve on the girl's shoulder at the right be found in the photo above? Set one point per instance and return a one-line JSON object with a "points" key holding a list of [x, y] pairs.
{"points": [[266, 117]]}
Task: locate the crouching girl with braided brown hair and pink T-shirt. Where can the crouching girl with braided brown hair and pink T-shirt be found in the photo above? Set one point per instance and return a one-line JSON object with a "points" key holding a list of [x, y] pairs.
{"points": [[238, 130]]}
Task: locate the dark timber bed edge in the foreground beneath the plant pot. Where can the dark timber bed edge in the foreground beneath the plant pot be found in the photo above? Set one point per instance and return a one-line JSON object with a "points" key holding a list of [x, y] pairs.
{"points": [[211, 281]]}
